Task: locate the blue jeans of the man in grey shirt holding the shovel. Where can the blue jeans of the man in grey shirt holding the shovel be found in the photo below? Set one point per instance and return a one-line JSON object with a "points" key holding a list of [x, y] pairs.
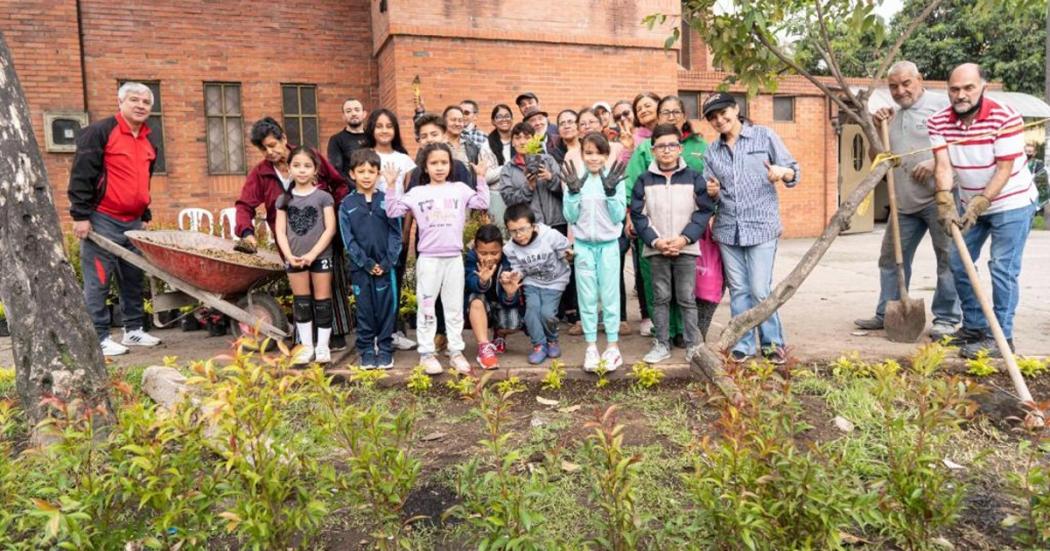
{"points": [[914, 228]]}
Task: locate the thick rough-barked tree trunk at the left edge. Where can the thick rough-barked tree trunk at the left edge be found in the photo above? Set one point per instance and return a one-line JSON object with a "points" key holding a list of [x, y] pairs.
{"points": [[56, 349]]}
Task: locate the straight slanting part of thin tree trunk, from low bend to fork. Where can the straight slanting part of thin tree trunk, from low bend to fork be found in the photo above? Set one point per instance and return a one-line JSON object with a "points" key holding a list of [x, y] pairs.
{"points": [[786, 289]]}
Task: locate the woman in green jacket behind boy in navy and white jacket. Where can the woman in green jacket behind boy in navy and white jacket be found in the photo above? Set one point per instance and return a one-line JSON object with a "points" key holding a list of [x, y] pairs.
{"points": [[670, 111]]}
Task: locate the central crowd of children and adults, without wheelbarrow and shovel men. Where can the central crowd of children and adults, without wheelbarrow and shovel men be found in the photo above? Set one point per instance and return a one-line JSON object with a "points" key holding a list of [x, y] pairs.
{"points": [[557, 206]]}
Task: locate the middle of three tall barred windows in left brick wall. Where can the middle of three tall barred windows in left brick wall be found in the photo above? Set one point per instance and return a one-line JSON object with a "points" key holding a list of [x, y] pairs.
{"points": [[225, 129]]}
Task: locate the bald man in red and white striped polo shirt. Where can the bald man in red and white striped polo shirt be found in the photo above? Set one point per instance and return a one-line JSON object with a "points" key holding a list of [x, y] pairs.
{"points": [[983, 143]]}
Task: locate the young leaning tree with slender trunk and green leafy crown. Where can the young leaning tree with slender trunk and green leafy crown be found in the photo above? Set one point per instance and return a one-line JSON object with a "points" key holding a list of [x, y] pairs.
{"points": [[757, 41]]}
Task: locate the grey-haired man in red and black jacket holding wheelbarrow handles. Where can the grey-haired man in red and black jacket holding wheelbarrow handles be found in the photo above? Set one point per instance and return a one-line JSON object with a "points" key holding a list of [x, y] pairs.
{"points": [[110, 195]]}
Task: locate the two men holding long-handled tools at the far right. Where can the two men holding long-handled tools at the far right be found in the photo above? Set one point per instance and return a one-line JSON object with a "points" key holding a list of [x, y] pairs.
{"points": [[974, 172]]}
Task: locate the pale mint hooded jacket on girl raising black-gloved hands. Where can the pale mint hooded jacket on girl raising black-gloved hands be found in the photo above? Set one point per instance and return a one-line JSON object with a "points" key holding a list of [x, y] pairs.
{"points": [[596, 218]]}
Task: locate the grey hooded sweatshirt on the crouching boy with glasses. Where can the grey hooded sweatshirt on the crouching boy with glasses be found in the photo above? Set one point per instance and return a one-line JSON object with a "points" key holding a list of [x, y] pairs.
{"points": [[542, 262]]}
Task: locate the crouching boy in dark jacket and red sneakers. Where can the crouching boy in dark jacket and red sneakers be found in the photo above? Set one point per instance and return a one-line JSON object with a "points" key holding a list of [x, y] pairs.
{"points": [[495, 298]]}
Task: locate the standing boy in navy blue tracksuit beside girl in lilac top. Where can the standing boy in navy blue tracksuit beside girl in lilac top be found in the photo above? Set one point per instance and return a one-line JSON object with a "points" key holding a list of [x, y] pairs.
{"points": [[373, 244]]}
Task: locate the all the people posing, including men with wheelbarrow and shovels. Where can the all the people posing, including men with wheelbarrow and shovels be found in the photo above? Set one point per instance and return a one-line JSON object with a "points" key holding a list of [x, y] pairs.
{"points": [[558, 205]]}
